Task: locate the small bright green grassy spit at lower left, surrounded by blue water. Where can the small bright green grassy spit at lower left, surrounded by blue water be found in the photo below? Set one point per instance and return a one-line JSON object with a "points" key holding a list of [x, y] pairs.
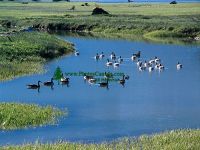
{"points": [[15, 115]]}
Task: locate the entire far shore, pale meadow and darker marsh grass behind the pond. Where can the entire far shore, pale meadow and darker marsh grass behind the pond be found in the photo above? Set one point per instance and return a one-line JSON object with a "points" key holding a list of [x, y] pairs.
{"points": [[150, 20]]}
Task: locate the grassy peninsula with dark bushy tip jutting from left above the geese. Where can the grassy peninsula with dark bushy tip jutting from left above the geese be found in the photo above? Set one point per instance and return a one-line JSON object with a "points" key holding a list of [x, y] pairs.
{"points": [[25, 53]]}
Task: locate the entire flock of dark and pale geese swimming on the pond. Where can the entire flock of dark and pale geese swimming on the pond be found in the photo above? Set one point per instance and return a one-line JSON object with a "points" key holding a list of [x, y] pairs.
{"points": [[115, 61]]}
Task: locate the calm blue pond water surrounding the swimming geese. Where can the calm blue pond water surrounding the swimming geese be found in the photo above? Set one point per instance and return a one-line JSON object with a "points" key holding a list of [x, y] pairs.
{"points": [[148, 103]]}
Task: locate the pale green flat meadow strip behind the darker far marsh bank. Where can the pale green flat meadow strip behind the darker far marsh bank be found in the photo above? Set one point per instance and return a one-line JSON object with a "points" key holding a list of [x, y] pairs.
{"points": [[19, 10]]}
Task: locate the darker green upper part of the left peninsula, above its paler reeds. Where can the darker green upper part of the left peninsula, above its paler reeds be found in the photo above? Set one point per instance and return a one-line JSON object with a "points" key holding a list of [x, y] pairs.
{"points": [[32, 46]]}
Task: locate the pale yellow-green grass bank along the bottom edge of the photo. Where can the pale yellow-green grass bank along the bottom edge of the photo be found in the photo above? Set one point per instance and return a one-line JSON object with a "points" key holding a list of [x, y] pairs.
{"points": [[173, 140]]}
